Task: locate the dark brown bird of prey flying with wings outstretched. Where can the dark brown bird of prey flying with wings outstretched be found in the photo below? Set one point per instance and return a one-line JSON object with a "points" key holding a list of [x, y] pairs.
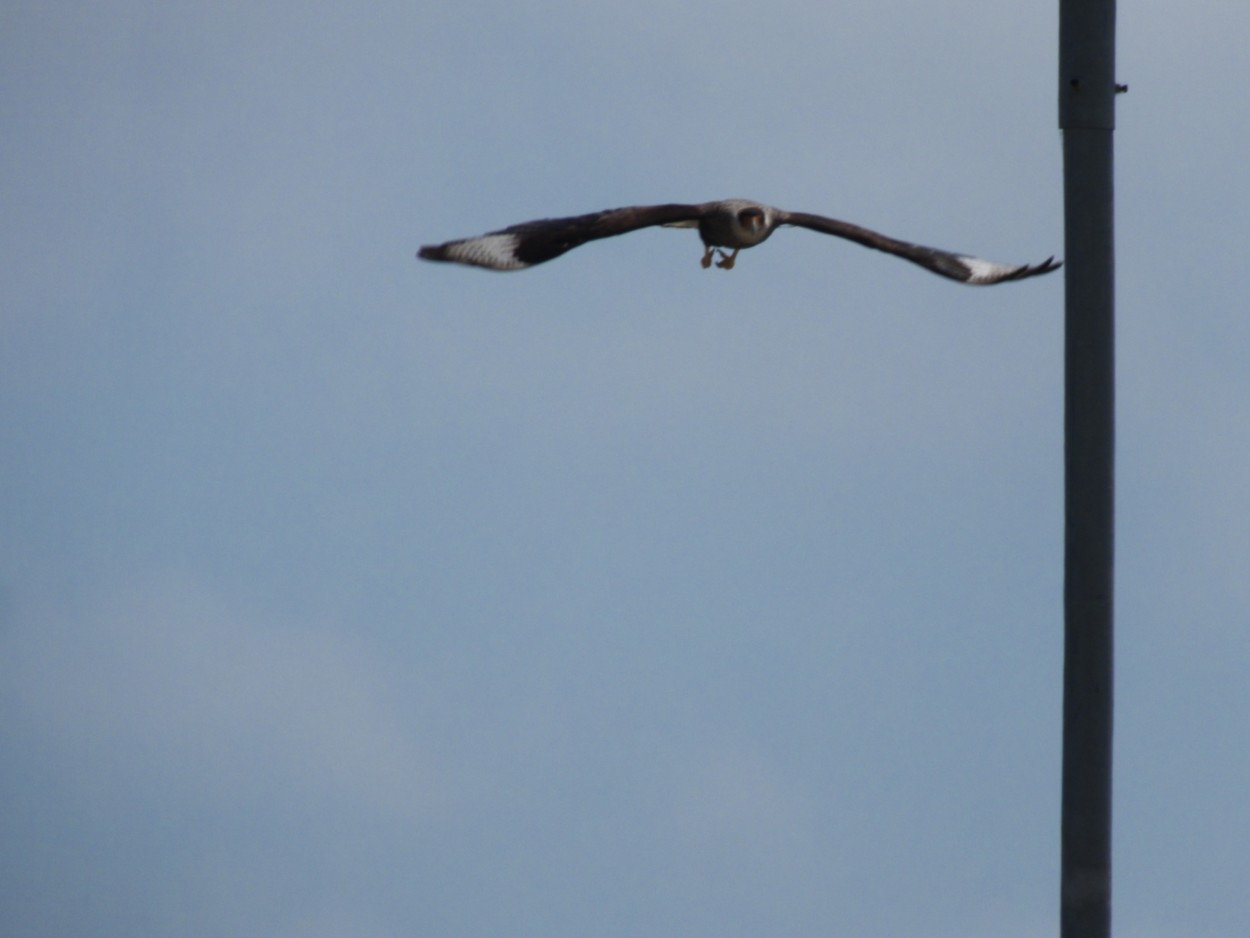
{"points": [[726, 228]]}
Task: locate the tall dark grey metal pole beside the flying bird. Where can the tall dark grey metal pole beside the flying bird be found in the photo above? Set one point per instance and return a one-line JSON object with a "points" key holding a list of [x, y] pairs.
{"points": [[1087, 117]]}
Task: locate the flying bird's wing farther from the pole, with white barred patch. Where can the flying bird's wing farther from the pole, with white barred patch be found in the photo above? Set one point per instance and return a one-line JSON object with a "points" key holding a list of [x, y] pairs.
{"points": [[531, 243]]}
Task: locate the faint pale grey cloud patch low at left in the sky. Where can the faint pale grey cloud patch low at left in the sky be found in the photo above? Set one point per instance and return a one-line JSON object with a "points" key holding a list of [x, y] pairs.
{"points": [[167, 683]]}
